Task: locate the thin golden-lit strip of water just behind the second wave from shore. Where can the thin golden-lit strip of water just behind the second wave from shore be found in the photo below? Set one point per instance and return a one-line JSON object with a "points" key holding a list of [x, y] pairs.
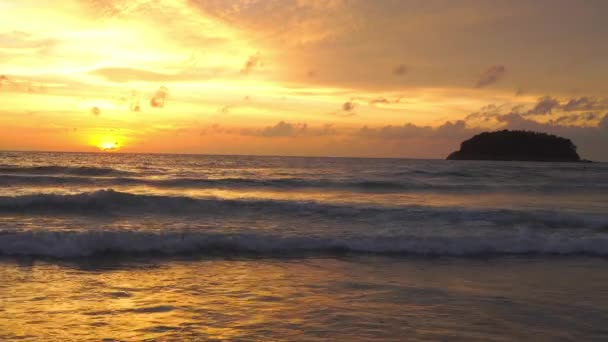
{"points": [[589, 202]]}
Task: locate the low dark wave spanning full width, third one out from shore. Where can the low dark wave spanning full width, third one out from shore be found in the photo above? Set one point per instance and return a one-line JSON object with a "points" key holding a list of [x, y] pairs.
{"points": [[279, 184]]}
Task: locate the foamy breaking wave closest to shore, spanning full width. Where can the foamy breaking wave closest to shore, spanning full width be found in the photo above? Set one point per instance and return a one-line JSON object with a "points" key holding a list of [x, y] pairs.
{"points": [[131, 243]]}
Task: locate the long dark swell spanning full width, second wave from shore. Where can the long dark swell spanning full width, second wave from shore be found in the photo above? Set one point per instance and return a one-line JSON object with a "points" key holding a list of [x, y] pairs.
{"points": [[108, 202]]}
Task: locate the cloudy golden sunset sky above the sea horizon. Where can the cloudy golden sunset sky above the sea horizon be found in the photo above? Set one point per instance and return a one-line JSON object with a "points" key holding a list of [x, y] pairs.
{"points": [[384, 78]]}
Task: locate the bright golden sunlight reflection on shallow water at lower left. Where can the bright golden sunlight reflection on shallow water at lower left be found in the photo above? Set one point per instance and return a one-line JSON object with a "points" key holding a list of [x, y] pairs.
{"points": [[213, 300]]}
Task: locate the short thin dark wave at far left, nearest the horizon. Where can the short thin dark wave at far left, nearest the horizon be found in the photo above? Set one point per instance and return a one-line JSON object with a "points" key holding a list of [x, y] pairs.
{"points": [[63, 170]]}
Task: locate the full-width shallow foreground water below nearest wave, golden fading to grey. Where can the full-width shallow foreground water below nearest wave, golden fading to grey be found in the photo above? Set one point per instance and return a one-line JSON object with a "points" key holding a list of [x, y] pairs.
{"points": [[302, 299]]}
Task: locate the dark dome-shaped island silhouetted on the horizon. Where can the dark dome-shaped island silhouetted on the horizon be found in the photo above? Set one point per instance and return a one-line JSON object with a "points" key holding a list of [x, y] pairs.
{"points": [[517, 146]]}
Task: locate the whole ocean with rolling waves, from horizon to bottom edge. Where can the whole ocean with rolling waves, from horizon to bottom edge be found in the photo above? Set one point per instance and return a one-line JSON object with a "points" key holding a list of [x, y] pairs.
{"points": [[130, 247]]}
